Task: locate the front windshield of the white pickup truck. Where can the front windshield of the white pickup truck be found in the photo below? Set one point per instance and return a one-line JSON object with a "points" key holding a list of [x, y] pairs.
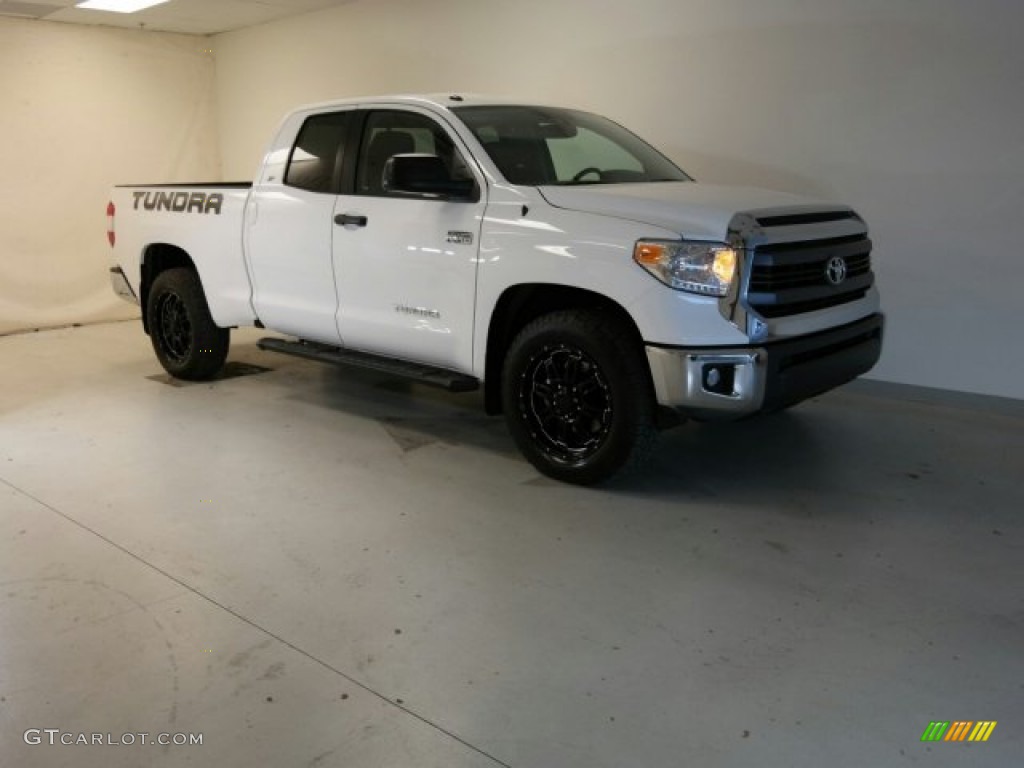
{"points": [[536, 146]]}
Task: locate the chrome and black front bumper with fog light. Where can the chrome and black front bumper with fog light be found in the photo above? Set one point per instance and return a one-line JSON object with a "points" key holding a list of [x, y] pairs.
{"points": [[733, 382]]}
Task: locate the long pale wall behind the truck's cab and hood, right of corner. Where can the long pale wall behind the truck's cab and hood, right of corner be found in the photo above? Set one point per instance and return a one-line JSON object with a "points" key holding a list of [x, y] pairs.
{"points": [[910, 110]]}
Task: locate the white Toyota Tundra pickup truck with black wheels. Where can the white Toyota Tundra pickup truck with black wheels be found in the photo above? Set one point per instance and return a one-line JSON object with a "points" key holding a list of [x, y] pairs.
{"points": [[594, 290]]}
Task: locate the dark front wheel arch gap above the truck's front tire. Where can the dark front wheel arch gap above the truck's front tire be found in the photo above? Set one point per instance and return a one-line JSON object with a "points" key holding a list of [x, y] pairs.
{"points": [[520, 306]]}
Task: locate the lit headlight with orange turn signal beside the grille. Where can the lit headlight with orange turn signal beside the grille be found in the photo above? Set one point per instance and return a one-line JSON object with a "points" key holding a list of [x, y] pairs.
{"points": [[707, 269]]}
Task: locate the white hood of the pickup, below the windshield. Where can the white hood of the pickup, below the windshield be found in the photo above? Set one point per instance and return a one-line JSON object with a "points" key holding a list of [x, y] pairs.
{"points": [[695, 211]]}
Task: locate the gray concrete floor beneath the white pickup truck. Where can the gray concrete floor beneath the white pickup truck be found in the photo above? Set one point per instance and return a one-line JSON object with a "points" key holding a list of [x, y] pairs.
{"points": [[313, 567]]}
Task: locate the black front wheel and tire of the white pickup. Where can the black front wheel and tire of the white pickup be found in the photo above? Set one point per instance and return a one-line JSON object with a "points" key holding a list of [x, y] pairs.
{"points": [[577, 397]]}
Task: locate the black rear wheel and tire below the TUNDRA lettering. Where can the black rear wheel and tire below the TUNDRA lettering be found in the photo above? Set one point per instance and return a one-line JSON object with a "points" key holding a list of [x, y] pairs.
{"points": [[189, 345]]}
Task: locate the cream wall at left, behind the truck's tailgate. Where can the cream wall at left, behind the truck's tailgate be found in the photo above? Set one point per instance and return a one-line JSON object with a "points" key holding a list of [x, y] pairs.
{"points": [[82, 109]]}
